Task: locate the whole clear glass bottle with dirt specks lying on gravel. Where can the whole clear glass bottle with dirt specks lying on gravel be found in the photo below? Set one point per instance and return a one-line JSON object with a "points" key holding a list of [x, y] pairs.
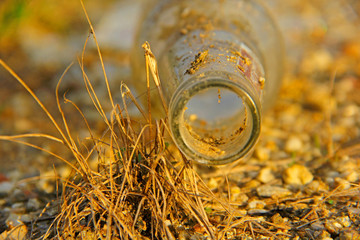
{"points": [[220, 65]]}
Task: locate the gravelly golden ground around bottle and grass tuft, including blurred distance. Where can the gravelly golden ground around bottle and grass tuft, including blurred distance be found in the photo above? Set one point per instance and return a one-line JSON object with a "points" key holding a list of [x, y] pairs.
{"points": [[301, 182]]}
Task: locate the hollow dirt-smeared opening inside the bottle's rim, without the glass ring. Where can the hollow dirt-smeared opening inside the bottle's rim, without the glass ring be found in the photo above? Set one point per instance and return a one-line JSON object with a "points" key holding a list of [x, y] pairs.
{"points": [[214, 118]]}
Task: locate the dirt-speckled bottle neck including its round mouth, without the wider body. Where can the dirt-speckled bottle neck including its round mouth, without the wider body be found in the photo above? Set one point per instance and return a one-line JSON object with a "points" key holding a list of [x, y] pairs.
{"points": [[213, 84]]}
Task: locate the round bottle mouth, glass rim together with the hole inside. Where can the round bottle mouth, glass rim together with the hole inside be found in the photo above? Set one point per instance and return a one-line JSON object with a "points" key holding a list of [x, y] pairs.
{"points": [[214, 120]]}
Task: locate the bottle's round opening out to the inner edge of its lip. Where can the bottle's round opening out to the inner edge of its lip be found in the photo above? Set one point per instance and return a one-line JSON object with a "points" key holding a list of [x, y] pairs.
{"points": [[217, 124]]}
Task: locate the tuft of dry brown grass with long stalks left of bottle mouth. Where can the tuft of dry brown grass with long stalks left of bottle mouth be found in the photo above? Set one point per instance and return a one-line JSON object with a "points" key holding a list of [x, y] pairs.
{"points": [[139, 190]]}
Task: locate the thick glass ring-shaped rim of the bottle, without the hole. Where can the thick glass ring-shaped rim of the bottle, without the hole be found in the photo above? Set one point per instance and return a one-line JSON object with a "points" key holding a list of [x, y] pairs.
{"points": [[192, 87]]}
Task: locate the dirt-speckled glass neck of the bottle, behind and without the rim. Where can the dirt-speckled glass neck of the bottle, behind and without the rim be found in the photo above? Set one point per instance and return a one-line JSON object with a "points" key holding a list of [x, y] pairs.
{"points": [[202, 52]]}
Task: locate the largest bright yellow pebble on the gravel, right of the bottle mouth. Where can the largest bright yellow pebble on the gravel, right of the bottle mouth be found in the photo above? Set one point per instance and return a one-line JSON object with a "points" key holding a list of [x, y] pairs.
{"points": [[297, 175]]}
